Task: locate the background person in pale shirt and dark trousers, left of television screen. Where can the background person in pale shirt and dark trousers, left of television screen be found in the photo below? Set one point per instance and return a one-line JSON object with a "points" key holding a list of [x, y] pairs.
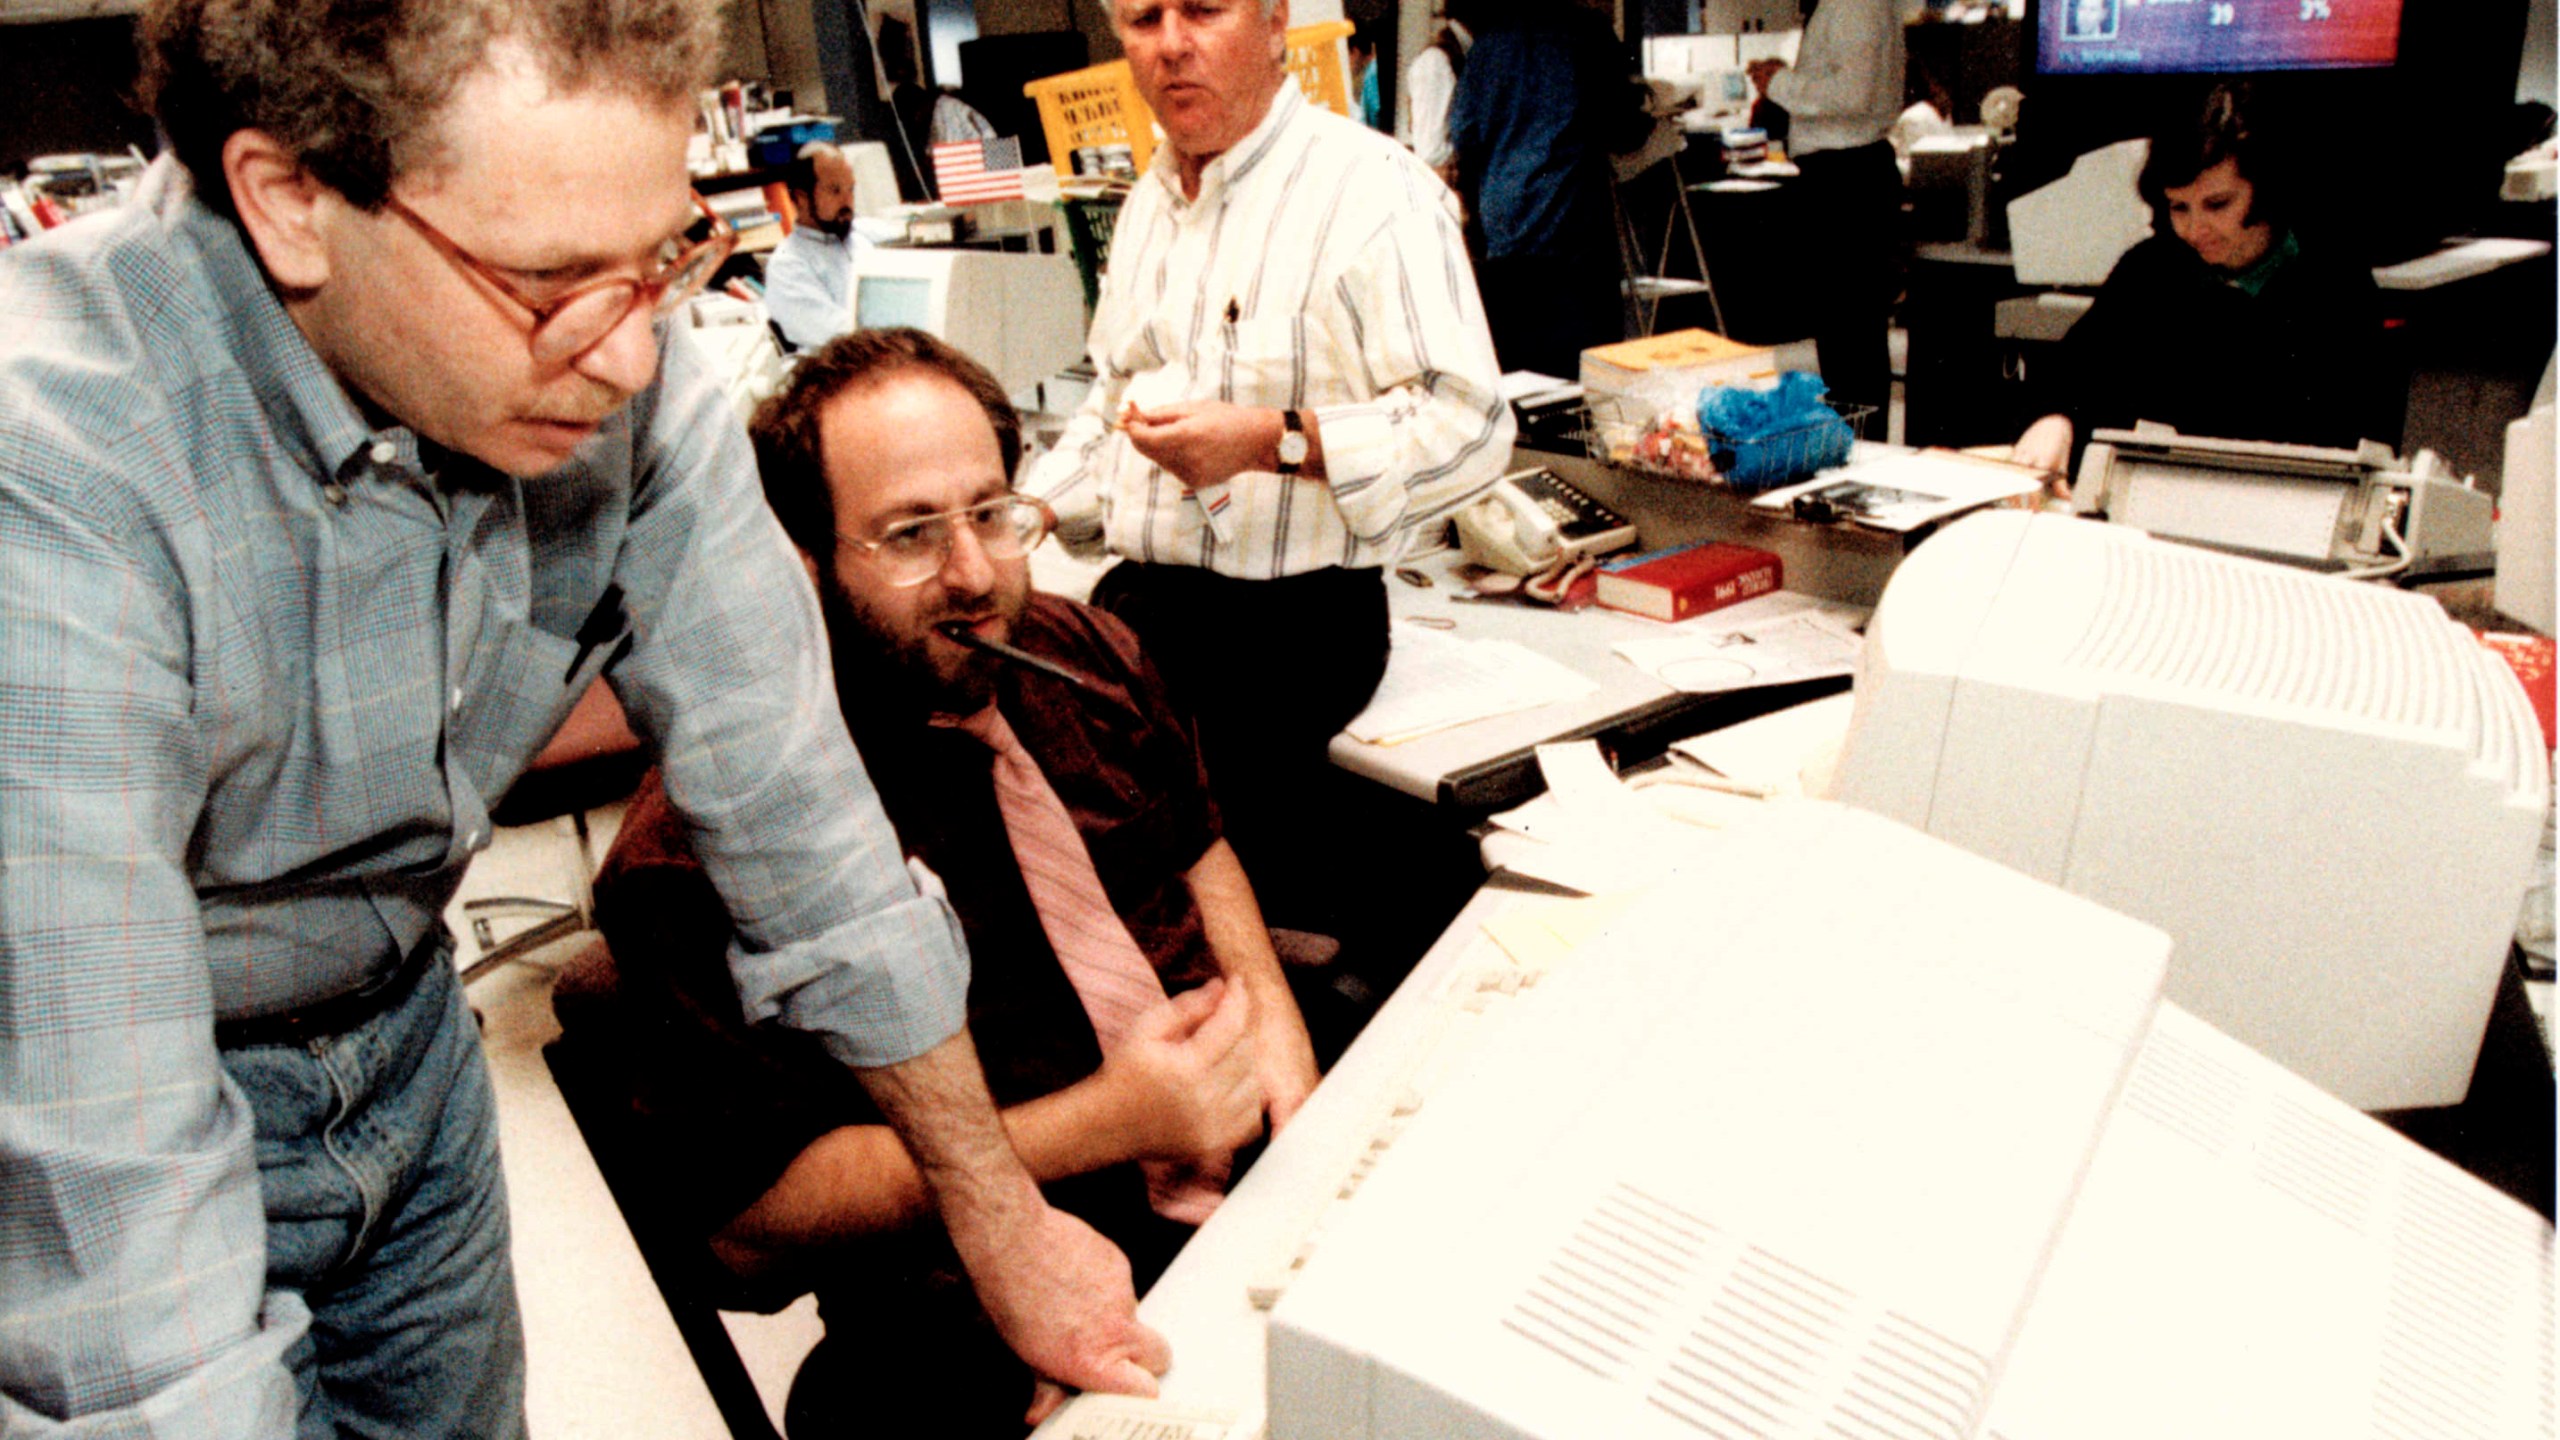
{"points": [[1842, 99]]}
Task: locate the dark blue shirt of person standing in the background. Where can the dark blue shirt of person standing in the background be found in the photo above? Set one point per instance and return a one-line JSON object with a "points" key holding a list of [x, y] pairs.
{"points": [[1537, 114]]}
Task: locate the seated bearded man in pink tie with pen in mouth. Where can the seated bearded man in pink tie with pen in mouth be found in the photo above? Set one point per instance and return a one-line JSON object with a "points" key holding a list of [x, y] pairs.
{"points": [[1074, 834]]}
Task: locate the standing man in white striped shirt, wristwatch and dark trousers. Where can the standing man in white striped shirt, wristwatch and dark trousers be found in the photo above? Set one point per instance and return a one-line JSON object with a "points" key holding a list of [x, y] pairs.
{"points": [[1294, 388]]}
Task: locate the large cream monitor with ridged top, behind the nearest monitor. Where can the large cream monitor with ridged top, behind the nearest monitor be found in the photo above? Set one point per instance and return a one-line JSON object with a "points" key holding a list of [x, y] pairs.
{"points": [[2328, 793]]}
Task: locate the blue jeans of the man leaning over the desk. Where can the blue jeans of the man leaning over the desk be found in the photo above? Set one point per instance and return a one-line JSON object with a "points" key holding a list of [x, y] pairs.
{"points": [[385, 1211]]}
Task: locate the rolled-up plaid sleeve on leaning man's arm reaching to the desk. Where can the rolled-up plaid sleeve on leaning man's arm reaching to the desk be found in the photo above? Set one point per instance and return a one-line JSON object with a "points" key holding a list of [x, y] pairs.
{"points": [[731, 680]]}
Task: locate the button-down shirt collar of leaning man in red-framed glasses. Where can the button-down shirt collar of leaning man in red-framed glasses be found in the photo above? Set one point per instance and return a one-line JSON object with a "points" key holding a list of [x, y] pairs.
{"points": [[306, 406]]}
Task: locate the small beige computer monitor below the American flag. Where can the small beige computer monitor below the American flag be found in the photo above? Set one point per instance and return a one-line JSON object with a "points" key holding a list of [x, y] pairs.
{"points": [[1018, 314]]}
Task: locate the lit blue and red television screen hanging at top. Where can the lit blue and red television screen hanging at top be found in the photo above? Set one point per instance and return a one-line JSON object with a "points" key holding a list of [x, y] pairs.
{"points": [[2190, 37]]}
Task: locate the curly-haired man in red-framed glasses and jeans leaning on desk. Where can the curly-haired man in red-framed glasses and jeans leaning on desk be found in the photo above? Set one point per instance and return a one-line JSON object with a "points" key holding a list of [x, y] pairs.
{"points": [[332, 473]]}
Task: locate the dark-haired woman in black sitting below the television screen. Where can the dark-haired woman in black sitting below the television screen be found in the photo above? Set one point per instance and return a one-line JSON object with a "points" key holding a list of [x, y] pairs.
{"points": [[2221, 324]]}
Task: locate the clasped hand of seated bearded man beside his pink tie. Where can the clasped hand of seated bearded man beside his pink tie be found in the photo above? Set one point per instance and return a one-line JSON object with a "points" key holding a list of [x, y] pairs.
{"points": [[1187, 1075]]}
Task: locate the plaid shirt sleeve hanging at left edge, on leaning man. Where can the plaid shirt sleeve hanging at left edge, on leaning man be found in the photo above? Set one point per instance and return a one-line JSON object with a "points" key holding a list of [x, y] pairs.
{"points": [[132, 1229]]}
